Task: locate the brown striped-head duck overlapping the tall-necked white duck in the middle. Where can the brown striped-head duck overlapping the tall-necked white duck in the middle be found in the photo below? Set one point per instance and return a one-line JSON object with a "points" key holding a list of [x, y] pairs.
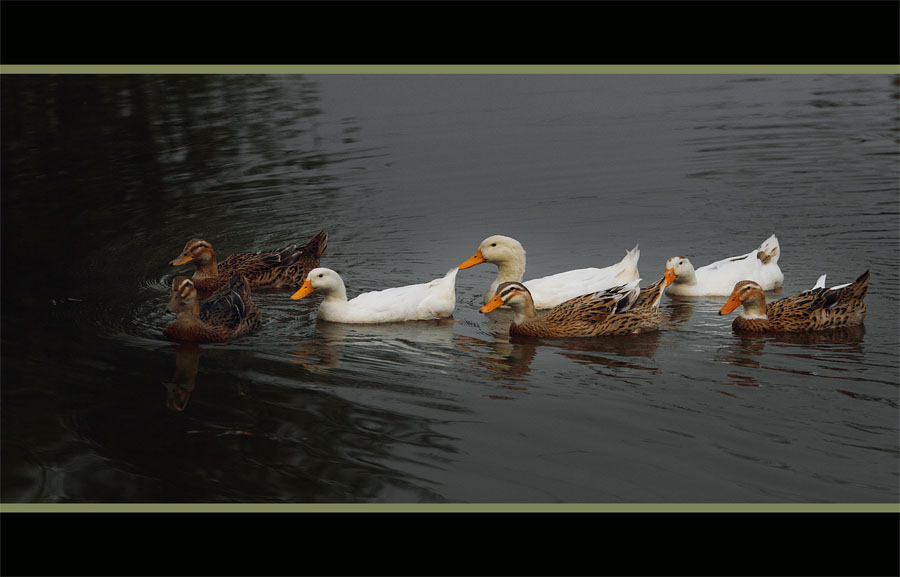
{"points": [[622, 310]]}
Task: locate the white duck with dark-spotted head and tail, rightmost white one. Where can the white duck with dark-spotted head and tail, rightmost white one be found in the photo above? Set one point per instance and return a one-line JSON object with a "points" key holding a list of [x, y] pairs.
{"points": [[718, 278]]}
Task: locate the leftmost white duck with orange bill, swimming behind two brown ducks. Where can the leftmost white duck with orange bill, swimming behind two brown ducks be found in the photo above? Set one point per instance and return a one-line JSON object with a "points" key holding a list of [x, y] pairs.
{"points": [[431, 300]]}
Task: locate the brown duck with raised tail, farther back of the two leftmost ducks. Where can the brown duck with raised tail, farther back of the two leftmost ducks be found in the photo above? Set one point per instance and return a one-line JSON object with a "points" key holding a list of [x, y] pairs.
{"points": [[276, 269]]}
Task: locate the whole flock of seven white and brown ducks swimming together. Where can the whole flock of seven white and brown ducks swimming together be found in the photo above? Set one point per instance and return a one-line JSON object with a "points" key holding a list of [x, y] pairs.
{"points": [[588, 302]]}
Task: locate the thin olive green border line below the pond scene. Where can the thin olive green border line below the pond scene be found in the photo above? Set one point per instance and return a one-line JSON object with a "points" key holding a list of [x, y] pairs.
{"points": [[450, 508]]}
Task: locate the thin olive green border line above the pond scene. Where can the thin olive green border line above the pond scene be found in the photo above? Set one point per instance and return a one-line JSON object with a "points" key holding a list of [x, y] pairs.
{"points": [[447, 69]]}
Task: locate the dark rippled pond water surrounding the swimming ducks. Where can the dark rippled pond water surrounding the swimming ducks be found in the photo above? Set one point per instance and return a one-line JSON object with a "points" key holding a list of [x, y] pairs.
{"points": [[104, 178]]}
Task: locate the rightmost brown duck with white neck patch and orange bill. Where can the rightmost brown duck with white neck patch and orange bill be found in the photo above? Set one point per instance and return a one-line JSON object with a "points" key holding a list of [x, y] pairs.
{"points": [[816, 309]]}
